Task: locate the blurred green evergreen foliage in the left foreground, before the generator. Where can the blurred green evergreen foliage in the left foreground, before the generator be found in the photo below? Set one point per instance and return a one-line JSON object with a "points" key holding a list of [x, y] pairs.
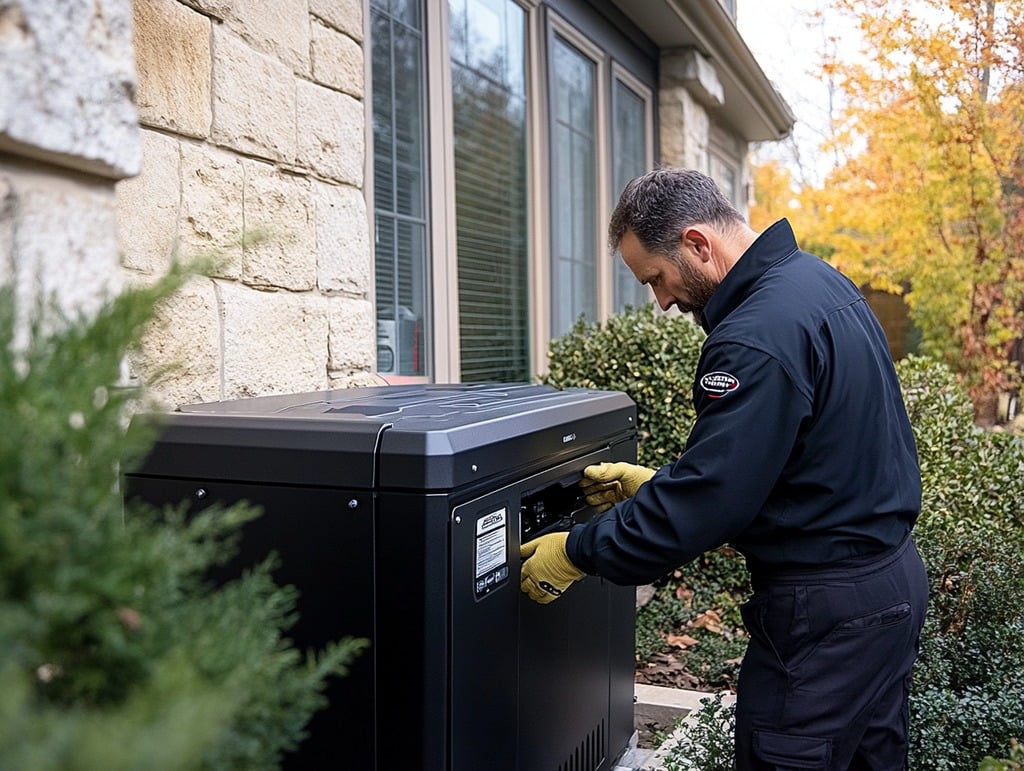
{"points": [[115, 651]]}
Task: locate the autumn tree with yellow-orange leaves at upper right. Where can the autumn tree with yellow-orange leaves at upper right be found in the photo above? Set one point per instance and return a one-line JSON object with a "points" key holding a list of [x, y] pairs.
{"points": [[930, 201]]}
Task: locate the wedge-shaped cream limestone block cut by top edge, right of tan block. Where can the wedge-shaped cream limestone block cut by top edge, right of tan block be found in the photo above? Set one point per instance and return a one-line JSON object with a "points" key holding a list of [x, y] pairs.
{"points": [[275, 27]]}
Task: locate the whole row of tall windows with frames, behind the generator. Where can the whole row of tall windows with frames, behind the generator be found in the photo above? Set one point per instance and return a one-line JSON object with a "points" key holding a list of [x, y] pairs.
{"points": [[502, 134]]}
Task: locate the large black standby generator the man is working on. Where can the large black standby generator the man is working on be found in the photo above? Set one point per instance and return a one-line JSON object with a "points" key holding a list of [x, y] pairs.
{"points": [[398, 513]]}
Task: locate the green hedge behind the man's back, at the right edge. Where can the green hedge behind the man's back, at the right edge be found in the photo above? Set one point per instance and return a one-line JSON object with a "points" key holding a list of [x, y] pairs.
{"points": [[968, 699]]}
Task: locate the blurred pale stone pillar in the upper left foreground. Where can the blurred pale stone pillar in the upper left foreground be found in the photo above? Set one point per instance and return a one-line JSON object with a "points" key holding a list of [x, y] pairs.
{"points": [[68, 133]]}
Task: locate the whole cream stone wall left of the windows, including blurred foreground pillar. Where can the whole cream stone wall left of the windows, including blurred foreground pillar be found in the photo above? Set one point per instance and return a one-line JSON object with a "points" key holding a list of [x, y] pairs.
{"points": [[135, 134]]}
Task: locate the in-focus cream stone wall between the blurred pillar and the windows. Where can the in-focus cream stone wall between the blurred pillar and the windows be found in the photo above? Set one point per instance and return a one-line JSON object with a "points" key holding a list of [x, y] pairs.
{"points": [[253, 149]]}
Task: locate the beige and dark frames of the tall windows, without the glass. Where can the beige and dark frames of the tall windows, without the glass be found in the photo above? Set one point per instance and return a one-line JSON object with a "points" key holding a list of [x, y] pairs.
{"points": [[542, 23]]}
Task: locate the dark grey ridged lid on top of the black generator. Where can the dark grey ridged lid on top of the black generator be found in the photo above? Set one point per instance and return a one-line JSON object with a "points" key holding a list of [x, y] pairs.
{"points": [[415, 438]]}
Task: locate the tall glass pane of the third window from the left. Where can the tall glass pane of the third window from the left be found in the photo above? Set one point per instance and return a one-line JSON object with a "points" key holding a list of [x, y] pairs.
{"points": [[574, 158]]}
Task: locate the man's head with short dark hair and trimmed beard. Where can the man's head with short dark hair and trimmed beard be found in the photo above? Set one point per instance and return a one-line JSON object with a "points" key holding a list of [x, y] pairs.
{"points": [[678, 234]]}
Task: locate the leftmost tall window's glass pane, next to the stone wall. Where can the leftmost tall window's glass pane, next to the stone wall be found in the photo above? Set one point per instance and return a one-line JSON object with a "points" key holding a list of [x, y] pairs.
{"points": [[400, 188]]}
